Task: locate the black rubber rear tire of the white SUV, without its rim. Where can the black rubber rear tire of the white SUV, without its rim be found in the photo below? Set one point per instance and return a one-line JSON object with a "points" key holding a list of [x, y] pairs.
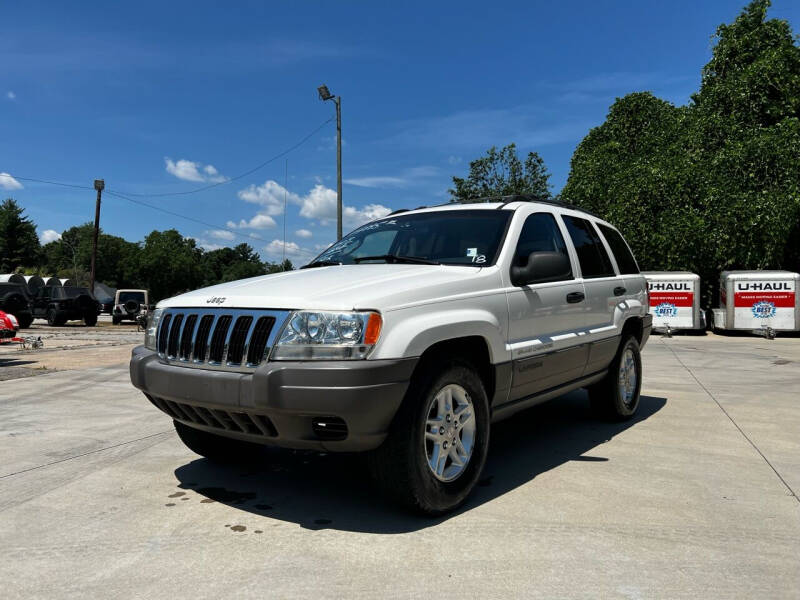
{"points": [[606, 397]]}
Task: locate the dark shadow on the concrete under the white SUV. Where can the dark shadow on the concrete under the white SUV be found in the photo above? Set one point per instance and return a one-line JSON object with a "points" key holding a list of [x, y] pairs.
{"points": [[332, 491]]}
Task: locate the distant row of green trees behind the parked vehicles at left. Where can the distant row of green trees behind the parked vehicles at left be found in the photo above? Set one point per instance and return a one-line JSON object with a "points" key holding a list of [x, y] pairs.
{"points": [[165, 262]]}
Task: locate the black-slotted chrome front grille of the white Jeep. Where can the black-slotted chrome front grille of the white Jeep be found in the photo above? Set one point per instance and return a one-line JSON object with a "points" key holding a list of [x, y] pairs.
{"points": [[218, 338]]}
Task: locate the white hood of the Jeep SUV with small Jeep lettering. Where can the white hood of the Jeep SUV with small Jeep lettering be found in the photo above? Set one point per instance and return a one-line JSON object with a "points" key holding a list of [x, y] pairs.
{"points": [[343, 287]]}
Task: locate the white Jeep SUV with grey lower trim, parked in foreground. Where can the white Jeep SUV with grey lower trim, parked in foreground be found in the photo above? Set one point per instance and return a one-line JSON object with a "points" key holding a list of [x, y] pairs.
{"points": [[406, 339]]}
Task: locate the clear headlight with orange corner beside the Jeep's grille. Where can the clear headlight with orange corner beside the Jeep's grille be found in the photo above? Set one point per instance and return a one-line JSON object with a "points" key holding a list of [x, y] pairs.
{"points": [[313, 335]]}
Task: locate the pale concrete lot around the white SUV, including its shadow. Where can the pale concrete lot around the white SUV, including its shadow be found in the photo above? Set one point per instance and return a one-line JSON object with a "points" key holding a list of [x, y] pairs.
{"points": [[696, 497]]}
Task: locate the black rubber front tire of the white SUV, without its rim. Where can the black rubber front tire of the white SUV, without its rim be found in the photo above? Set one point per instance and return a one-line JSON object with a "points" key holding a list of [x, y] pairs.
{"points": [[400, 465]]}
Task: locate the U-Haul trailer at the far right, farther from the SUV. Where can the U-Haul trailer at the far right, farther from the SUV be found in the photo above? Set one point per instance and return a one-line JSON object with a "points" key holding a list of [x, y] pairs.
{"points": [[762, 301]]}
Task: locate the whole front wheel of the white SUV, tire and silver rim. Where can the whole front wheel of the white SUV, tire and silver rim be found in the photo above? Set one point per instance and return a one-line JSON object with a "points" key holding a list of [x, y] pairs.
{"points": [[437, 445]]}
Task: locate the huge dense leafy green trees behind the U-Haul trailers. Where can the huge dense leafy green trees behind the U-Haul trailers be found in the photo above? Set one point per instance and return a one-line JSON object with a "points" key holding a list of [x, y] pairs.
{"points": [[712, 185]]}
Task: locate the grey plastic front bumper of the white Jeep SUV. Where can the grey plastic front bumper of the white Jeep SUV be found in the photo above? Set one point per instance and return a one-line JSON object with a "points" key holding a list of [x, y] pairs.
{"points": [[278, 403]]}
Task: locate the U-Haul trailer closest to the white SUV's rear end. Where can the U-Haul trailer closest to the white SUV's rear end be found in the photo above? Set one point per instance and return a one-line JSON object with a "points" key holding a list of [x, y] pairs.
{"points": [[675, 300]]}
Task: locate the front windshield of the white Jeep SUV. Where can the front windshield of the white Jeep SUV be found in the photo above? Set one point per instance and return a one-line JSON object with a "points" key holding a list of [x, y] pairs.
{"points": [[453, 237]]}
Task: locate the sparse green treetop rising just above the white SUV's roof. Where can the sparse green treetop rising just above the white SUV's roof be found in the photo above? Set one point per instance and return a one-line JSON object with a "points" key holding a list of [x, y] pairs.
{"points": [[502, 173]]}
